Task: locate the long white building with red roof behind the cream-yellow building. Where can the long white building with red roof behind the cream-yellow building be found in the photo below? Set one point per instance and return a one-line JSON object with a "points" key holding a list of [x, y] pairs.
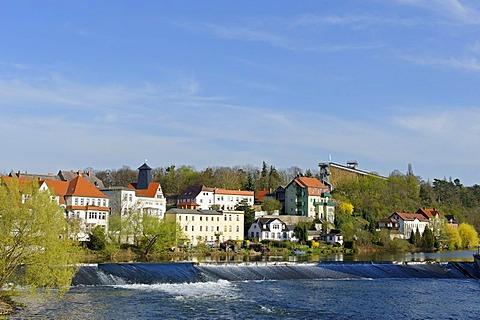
{"points": [[215, 198]]}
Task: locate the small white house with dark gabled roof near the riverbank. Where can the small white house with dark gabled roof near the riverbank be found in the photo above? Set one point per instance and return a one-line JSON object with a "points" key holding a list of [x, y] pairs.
{"points": [[271, 229]]}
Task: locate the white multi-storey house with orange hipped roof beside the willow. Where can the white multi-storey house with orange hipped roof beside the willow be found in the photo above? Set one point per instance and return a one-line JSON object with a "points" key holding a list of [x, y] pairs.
{"points": [[87, 205]]}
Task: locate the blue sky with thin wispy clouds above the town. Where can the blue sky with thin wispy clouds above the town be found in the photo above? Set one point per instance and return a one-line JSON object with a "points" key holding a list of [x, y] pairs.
{"points": [[104, 84]]}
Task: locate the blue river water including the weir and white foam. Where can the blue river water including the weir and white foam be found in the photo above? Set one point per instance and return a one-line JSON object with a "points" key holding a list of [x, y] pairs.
{"points": [[335, 290]]}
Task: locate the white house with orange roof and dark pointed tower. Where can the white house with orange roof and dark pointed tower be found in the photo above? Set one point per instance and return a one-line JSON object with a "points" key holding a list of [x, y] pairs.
{"points": [[143, 196]]}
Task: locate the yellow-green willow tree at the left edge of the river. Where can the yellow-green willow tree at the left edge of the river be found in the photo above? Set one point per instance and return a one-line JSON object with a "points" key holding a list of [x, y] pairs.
{"points": [[33, 248]]}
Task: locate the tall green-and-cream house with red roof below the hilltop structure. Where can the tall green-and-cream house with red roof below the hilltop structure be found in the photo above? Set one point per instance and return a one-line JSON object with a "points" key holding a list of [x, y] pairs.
{"points": [[310, 198]]}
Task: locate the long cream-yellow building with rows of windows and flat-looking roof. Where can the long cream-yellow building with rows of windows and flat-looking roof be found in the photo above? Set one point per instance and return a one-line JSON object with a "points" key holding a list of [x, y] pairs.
{"points": [[201, 226]]}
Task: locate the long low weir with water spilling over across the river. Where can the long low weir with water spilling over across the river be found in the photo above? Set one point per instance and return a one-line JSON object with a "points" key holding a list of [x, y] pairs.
{"points": [[186, 272]]}
